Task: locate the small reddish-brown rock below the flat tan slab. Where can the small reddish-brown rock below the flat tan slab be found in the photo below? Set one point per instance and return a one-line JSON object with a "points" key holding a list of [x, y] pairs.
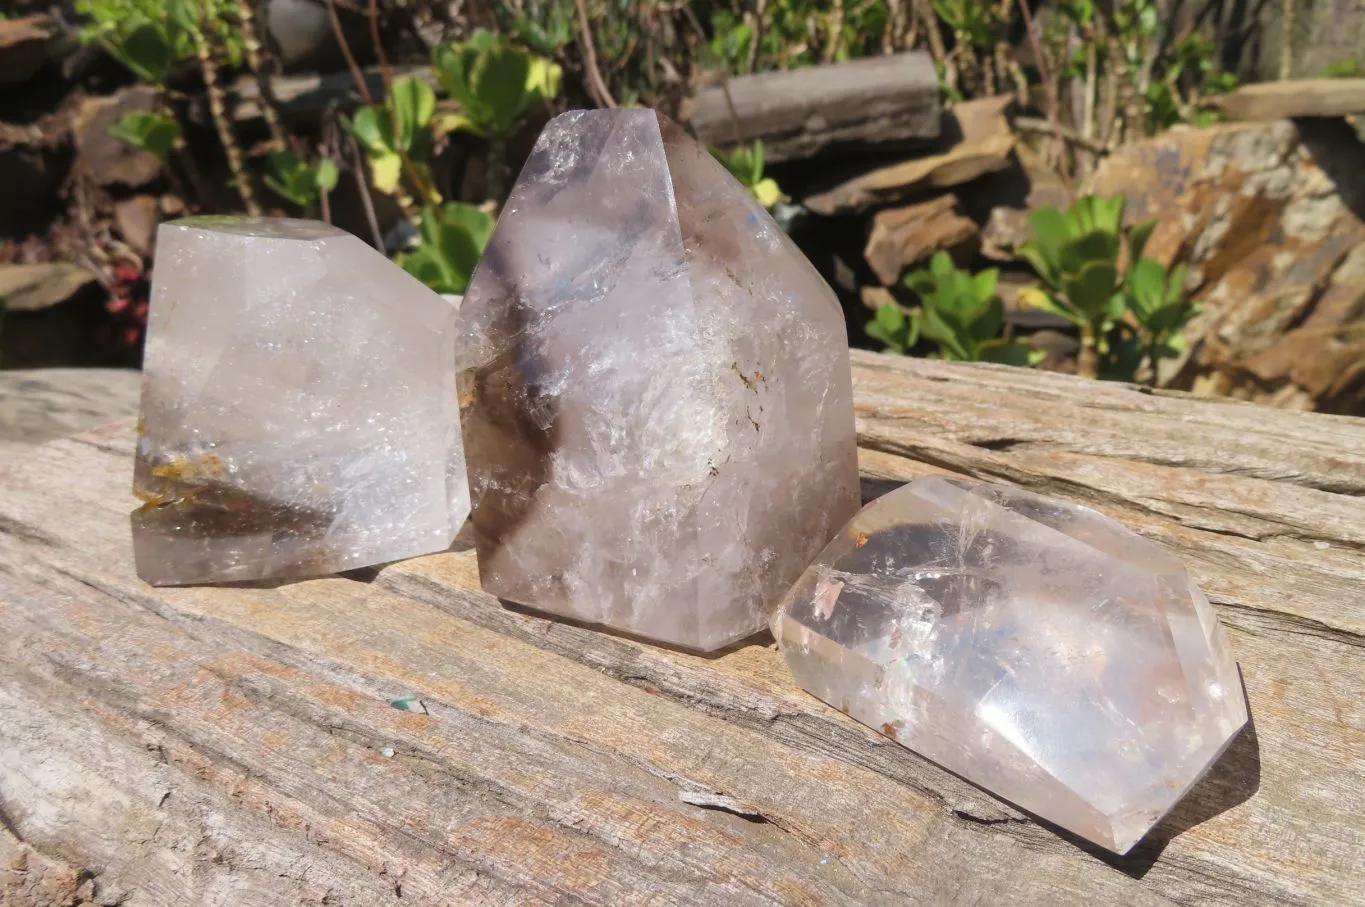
{"points": [[906, 237]]}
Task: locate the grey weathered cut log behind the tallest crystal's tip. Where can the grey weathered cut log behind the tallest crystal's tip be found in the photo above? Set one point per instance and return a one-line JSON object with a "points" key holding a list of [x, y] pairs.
{"points": [[801, 114]]}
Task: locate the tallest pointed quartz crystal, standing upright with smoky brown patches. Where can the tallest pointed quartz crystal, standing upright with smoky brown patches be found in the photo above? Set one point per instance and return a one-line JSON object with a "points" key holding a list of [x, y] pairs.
{"points": [[656, 390]]}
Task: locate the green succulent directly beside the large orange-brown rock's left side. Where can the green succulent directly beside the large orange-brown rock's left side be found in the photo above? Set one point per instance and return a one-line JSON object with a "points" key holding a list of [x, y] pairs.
{"points": [[1078, 256]]}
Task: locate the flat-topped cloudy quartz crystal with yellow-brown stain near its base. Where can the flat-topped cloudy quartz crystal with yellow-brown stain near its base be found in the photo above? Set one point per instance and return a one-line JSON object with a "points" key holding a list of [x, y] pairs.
{"points": [[300, 409]]}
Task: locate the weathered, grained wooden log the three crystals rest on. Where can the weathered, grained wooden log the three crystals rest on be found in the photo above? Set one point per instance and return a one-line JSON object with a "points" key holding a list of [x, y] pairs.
{"points": [[238, 745]]}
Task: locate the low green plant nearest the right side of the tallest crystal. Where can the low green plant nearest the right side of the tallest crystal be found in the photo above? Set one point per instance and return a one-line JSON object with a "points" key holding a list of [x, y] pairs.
{"points": [[960, 312]]}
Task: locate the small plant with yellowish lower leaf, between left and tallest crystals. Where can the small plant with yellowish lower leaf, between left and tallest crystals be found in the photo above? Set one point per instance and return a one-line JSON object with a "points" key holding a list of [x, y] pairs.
{"points": [[398, 137]]}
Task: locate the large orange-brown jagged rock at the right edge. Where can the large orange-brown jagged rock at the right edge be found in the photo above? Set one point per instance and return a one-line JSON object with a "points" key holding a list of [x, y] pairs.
{"points": [[1270, 219]]}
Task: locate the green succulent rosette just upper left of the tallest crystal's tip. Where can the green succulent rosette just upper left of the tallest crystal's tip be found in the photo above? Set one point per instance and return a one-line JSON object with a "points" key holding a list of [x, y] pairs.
{"points": [[496, 84]]}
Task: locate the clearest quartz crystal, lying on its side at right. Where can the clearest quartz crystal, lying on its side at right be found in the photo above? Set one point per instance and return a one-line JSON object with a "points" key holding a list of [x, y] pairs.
{"points": [[1035, 648]]}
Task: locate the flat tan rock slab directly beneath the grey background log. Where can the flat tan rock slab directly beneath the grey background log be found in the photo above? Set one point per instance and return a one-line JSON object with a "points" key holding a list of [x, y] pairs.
{"points": [[977, 140]]}
